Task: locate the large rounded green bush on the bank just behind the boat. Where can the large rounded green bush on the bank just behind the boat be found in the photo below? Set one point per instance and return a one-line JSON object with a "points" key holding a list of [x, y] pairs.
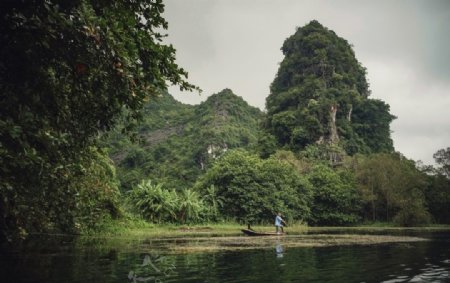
{"points": [[254, 190]]}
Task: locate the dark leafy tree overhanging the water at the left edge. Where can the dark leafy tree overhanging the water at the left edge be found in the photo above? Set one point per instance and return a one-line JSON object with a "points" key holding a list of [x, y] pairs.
{"points": [[69, 69]]}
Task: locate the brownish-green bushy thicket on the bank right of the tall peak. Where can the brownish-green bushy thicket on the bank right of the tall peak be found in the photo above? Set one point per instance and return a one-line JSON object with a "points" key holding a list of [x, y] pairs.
{"points": [[392, 189]]}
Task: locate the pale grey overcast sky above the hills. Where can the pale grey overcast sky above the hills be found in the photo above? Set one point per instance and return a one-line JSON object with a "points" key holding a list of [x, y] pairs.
{"points": [[404, 44]]}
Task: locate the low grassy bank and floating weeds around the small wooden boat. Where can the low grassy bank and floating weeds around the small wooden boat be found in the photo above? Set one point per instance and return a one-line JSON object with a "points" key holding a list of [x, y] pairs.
{"points": [[130, 234]]}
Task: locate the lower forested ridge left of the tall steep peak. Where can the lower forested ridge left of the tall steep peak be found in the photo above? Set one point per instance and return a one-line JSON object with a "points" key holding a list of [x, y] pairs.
{"points": [[177, 142]]}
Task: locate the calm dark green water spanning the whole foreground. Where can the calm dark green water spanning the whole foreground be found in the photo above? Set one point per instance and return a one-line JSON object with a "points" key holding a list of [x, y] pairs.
{"points": [[61, 259]]}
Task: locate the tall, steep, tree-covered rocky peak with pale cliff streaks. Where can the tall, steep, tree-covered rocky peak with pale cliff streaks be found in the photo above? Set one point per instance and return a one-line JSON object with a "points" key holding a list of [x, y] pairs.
{"points": [[320, 95]]}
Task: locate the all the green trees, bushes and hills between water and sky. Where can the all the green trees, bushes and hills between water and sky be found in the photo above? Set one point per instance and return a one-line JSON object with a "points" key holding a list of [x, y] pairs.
{"points": [[75, 77]]}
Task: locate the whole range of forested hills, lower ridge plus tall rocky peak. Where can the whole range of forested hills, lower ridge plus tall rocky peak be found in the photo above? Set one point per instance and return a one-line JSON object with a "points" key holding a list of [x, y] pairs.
{"points": [[319, 100]]}
